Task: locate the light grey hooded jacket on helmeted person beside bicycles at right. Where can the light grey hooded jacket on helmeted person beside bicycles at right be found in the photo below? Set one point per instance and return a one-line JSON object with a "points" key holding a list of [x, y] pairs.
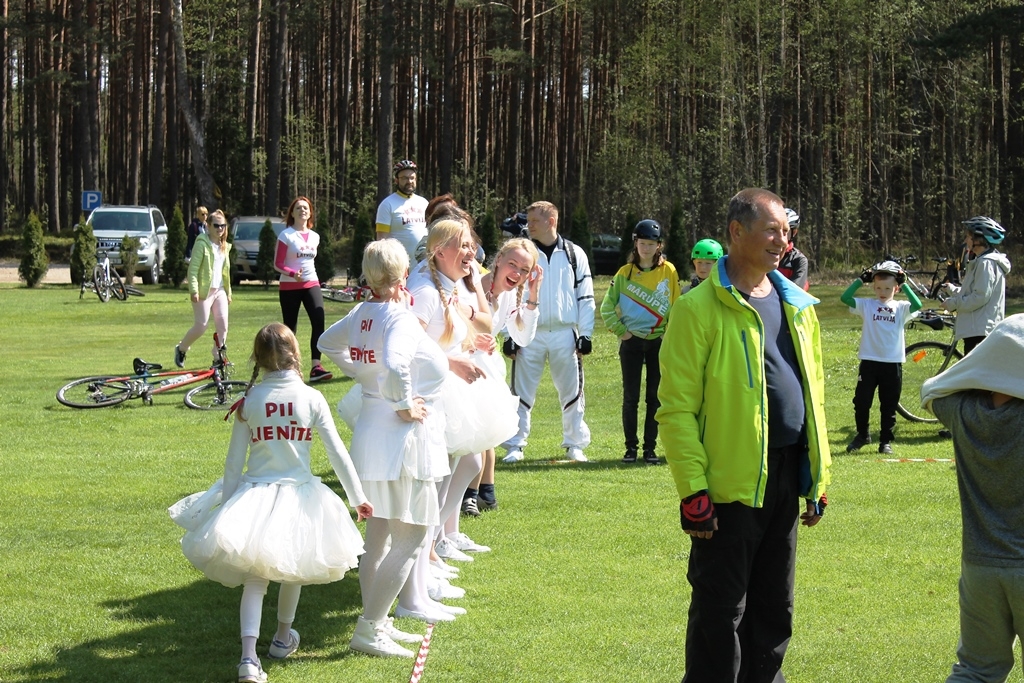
{"points": [[982, 302]]}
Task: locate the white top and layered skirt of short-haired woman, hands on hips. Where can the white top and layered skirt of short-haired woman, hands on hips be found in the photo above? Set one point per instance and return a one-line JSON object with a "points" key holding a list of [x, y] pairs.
{"points": [[385, 348]]}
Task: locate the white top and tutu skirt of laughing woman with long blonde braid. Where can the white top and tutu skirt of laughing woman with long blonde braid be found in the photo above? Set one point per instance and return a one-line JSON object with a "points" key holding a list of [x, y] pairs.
{"points": [[480, 415]]}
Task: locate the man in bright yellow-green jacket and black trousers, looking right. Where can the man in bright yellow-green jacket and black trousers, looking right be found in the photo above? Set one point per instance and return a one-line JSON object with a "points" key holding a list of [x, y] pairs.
{"points": [[744, 428]]}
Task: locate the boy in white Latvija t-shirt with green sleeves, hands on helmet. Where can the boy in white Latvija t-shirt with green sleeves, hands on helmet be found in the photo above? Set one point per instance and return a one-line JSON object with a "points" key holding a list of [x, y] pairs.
{"points": [[882, 349]]}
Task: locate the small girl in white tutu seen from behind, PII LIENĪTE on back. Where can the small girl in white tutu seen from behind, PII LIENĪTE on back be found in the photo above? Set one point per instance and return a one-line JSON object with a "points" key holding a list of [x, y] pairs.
{"points": [[270, 519]]}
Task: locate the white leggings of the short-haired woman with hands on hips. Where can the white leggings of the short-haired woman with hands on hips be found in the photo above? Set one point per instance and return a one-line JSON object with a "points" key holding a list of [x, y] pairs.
{"points": [[382, 571]]}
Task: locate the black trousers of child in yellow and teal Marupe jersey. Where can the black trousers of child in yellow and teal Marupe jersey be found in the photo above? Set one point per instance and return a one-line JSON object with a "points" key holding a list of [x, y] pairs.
{"points": [[634, 355]]}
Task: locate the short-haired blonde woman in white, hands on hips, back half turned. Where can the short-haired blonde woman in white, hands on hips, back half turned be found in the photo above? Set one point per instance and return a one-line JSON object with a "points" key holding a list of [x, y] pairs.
{"points": [[399, 439]]}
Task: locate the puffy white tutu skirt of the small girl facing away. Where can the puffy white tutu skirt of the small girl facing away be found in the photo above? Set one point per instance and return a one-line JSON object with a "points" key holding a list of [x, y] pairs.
{"points": [[284, 533]]}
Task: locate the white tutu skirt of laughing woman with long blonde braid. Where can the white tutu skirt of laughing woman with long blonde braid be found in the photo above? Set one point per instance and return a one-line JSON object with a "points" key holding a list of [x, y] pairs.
{"points": [[480, 416]]}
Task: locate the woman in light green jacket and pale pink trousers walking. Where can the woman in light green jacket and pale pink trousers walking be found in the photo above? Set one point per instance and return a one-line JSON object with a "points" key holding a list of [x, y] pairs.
{"points": [[209, 286]]}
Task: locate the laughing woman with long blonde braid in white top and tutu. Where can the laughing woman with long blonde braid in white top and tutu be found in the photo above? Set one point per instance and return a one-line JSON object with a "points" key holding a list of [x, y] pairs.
{"points": [[451, 303]]}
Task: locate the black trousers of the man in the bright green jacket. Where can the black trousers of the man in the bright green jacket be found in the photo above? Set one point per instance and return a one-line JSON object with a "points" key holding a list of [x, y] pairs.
{"points": [[741, 618]]}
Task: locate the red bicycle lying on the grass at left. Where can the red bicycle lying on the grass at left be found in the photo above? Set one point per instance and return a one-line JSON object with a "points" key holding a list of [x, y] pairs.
{"points": [[107, 391]]}
